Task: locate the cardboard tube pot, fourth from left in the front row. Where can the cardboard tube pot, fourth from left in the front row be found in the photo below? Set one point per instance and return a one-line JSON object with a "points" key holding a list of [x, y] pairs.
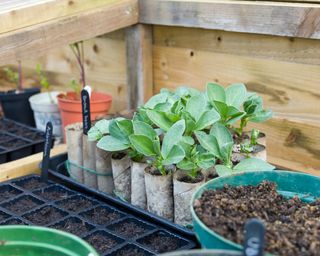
{"points": [[121, 171]]}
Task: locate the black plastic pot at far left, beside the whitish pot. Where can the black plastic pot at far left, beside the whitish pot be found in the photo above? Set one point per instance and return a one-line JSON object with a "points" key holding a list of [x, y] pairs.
{"points": [[16, 106]]}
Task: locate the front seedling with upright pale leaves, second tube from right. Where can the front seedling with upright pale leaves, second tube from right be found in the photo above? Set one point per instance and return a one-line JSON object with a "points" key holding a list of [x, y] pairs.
{"points": [[146, 141]]}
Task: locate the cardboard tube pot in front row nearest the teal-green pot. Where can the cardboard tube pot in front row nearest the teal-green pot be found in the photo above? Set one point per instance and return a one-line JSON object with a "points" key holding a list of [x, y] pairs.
{"points": [[182, 194]]}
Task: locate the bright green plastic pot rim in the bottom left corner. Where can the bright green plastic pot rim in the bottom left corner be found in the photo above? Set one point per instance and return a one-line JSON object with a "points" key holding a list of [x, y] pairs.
{"points": [[40, 241]]}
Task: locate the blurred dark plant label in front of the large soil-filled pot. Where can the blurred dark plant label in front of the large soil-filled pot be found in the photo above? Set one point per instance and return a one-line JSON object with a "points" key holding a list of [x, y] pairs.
{"points": [[254, 238]]}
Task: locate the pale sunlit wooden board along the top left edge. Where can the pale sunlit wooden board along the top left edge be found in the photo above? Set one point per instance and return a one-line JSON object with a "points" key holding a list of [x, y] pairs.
{"points": [[19, 14]]}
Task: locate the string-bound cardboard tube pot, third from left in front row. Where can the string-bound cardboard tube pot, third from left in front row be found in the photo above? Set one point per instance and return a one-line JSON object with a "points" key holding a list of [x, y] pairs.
{"points": [[104, 170]]}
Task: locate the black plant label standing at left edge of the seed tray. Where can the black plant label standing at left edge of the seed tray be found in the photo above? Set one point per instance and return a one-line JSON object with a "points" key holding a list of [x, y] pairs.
{"points": [[46, 152]]}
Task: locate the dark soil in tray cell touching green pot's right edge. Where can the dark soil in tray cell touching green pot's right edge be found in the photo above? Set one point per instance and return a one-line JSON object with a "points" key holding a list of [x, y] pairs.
{"points": [[101, 241]]}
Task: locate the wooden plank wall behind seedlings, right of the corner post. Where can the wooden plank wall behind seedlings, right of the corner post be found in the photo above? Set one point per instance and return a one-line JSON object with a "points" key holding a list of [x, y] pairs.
{"points": [[285, 71]]}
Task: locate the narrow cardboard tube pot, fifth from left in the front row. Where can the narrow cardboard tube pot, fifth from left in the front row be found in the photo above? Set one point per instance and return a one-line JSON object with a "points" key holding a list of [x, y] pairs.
{"points": [[138, 188]]}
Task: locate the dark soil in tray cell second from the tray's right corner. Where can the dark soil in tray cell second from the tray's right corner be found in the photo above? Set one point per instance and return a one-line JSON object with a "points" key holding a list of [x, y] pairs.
{"points": [[128, 228]]}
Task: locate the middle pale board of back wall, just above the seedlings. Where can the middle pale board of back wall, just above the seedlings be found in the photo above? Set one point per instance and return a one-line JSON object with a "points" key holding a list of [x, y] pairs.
{"points": [[290, 89]]}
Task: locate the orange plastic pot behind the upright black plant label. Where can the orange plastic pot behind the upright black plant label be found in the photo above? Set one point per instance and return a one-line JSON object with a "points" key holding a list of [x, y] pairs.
{"points": [[71, 110]]}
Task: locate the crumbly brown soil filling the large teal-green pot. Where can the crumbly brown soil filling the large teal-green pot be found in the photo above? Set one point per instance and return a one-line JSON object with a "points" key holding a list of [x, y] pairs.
{"points": [[293, 226]]}
